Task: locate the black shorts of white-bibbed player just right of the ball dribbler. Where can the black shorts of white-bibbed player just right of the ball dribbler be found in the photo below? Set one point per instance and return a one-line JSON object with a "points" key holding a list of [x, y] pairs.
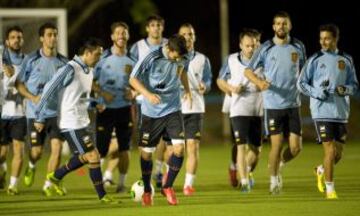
{"points": [[193, 125]]}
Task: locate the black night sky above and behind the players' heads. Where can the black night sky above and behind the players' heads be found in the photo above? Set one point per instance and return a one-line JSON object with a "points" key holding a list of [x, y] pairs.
{"points": [[204, 15]]}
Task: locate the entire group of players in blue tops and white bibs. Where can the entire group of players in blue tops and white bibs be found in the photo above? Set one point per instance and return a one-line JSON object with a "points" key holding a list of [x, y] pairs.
{"points": [[159, 84]]}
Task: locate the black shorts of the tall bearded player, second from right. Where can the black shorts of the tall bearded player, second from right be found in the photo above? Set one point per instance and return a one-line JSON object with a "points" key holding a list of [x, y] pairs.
{"points": [[283, 121]]}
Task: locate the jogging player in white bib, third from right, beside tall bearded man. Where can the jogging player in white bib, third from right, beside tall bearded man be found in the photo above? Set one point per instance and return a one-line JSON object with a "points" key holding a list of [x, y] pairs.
{"points": [[245, 103]]}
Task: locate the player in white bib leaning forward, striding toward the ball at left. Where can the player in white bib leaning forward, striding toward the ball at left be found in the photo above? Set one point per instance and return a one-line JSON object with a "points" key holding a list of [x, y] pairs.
{"points": [[72, 86]]}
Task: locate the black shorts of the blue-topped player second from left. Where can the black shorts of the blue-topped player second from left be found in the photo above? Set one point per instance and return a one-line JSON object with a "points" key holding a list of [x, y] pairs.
{"points": [[51, 130]]}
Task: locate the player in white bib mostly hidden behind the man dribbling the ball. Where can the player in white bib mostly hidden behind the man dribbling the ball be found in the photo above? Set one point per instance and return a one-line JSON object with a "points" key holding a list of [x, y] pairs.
{"points": [[154, 28]]}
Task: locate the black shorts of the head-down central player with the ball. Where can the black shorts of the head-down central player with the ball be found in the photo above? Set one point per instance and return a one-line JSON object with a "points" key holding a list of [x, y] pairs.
{"points": [[152, 129]]}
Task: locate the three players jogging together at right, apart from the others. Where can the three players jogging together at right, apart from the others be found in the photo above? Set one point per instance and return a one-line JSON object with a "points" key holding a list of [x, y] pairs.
{"points": [[279, 69]]}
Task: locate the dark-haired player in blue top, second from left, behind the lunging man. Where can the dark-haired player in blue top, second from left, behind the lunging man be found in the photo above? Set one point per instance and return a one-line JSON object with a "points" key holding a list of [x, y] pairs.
{"points": [[37, 69]]}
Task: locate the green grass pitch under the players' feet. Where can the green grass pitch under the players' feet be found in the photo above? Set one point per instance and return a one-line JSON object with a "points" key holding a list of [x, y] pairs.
{"points": [[213, 196]]}
